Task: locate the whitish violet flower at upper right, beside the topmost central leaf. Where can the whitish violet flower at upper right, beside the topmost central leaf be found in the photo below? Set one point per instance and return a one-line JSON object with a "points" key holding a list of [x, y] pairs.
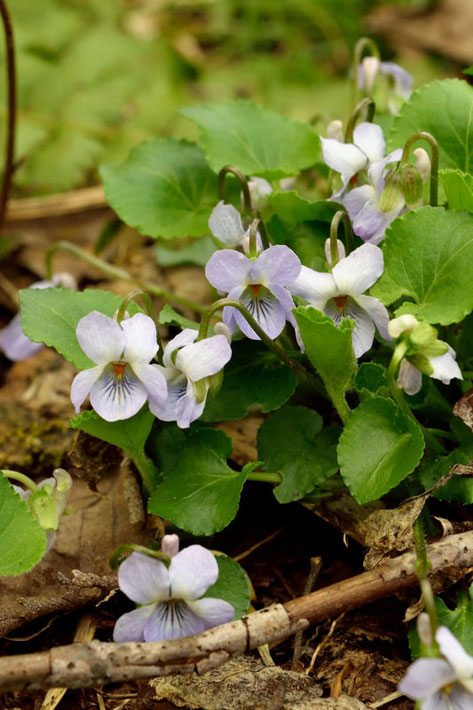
{"points": [[349, 158]]}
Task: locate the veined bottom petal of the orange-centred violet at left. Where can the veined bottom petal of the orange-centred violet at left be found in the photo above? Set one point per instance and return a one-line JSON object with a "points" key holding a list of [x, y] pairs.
{"points": [[116, 398]]}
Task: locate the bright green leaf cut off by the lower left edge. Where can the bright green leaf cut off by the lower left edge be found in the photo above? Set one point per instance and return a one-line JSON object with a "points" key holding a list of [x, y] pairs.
{"points": [[22, 539]]}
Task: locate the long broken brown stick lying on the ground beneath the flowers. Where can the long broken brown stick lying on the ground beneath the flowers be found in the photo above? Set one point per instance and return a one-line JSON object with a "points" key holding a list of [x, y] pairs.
{"points": [[95, 663]]}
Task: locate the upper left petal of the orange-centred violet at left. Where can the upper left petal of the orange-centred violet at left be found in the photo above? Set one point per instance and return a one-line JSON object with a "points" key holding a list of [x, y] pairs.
{"points": [[100, 337]]}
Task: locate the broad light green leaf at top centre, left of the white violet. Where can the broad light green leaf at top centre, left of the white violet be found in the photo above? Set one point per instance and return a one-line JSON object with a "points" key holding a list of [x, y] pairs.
{"points": [[256, 141]]}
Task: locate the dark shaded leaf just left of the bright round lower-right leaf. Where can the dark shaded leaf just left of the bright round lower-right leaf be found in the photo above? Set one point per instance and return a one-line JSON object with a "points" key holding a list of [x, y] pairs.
{"points": [[292, 442]]}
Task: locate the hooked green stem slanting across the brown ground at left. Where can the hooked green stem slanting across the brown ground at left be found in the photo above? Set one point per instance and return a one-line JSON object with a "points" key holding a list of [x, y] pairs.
{"points": [[114, 272]]}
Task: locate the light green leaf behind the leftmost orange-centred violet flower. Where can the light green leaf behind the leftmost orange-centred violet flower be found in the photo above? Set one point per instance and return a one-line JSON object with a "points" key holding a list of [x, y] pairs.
{"points": [[50, 316]]}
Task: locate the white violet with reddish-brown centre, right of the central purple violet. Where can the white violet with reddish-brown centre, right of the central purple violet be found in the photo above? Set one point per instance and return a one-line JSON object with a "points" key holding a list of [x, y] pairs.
{"points": [[339, 294]]}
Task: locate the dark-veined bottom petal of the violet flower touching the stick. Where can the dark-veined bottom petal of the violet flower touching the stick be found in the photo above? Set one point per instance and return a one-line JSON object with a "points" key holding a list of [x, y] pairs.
{"points": [[174, 620]]}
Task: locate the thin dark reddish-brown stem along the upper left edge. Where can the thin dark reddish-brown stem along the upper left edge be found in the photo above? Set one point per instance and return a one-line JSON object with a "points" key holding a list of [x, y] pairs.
{"points": [[11, 106]]}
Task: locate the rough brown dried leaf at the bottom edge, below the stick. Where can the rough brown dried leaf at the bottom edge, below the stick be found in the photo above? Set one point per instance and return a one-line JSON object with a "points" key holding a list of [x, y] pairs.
{"points": [[246, 684]]}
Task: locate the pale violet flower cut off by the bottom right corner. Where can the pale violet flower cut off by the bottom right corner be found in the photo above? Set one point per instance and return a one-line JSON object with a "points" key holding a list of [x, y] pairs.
{"points": [[441, 683]]}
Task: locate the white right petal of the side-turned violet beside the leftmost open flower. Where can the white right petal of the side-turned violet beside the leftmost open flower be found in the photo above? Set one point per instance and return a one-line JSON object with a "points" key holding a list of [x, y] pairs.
{"points": [[204, 358]]}
